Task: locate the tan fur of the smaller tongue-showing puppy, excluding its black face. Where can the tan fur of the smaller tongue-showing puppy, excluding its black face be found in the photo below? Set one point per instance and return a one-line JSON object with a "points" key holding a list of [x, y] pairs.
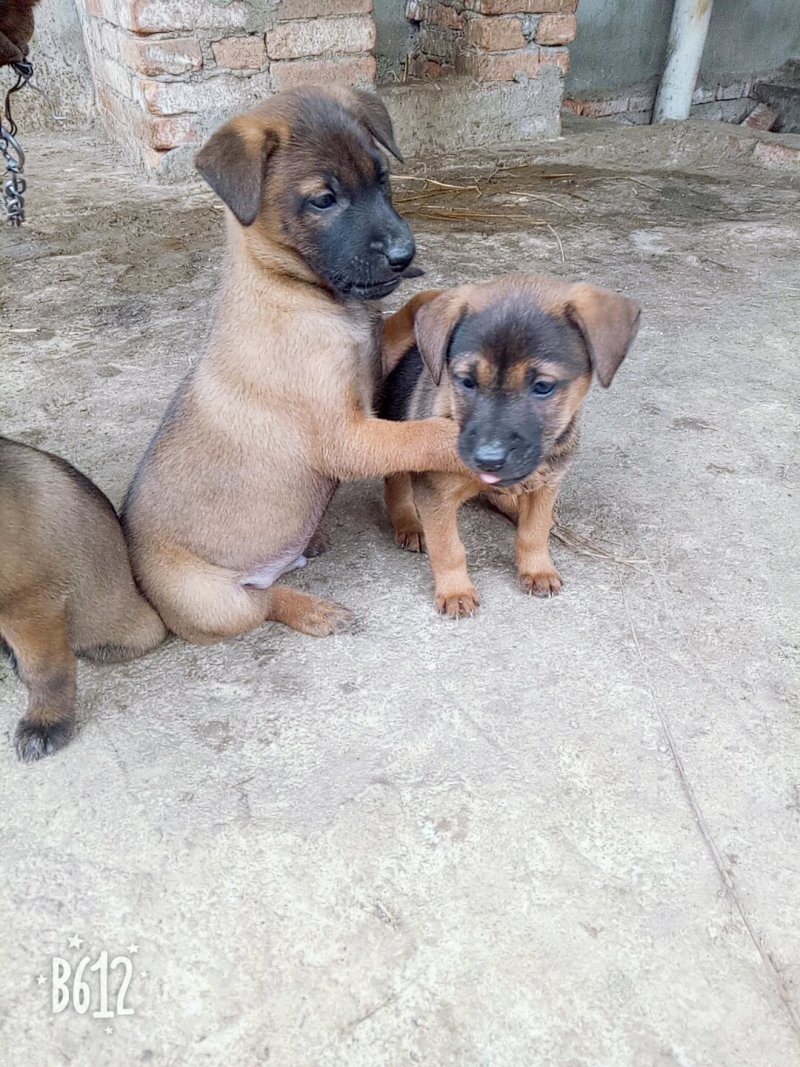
{"points": [[424, 508]]}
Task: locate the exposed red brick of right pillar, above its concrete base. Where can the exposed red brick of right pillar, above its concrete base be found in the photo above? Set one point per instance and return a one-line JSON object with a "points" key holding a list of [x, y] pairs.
{"points": [[492, 41]]}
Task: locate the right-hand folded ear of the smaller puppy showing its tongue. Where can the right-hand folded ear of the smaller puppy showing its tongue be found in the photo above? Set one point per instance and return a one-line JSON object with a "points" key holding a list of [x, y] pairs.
{"points": [[609, 325]]}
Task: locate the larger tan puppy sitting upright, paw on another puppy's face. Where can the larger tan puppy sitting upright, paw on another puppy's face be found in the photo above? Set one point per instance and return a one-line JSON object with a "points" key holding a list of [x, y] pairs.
{"points": [[233, 488]]}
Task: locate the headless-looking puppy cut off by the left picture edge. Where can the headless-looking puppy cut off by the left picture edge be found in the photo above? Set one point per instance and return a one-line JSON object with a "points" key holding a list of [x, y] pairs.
{"points": [[66, 588]]}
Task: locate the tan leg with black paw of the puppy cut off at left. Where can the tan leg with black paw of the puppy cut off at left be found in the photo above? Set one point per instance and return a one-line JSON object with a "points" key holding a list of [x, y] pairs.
{"points": [[38, 633]]}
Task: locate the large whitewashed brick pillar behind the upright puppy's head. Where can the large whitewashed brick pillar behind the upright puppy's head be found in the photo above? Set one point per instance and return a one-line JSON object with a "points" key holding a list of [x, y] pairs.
{"points": [[169, 72]]}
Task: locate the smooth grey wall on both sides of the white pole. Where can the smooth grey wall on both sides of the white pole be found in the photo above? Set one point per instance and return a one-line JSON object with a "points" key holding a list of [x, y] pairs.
{"points": [[623, 42]]}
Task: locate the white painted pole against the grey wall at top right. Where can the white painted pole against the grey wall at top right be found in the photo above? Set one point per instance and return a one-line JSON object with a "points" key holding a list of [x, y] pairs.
{"points": [[689, 31]]}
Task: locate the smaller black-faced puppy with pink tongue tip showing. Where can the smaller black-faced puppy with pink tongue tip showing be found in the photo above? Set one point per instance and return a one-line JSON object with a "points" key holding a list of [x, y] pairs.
{"points": [[511, 362]]}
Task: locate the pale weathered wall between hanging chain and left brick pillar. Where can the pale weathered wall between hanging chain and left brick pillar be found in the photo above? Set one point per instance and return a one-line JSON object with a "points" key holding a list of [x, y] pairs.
{"points": [[62, 70]]}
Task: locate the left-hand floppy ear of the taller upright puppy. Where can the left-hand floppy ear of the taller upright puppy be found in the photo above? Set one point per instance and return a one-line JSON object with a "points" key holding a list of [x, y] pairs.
{"points": [[234, 163]]}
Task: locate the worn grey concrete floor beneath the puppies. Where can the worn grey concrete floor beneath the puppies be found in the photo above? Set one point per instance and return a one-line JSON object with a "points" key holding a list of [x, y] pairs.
{"points": [[563, 834]]}
